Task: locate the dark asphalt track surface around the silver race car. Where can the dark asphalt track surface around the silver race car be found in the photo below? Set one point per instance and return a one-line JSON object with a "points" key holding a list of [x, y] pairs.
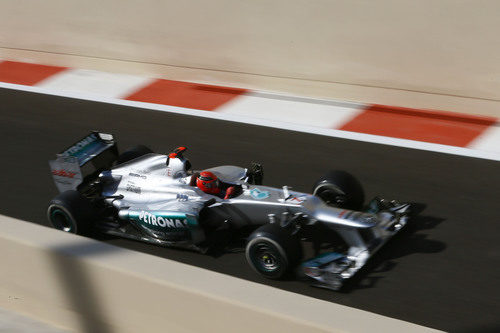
{"points": [[443, 271]]}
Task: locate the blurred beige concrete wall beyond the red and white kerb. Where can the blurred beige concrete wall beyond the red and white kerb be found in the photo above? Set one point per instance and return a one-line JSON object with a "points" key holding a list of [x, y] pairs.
{"points": [[444, 47]]}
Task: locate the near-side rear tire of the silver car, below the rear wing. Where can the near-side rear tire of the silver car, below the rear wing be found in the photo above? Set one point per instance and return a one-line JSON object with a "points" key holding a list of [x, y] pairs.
{"points": [[71, 212]]}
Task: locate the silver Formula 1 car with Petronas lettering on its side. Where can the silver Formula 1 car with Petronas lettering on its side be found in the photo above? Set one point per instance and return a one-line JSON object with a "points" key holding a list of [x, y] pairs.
{"points": [[154, 198]]}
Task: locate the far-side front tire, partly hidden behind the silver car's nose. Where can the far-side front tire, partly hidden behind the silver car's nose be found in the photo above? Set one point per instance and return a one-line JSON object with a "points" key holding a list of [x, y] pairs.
{"points": [[340, 189]]}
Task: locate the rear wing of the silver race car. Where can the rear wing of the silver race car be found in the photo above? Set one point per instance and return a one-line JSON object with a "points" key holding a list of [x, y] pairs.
{"points": [[83, 160]]}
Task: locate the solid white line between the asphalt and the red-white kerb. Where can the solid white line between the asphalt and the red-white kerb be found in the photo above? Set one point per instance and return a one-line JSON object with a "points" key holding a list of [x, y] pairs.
{"points": [[269, 123]]}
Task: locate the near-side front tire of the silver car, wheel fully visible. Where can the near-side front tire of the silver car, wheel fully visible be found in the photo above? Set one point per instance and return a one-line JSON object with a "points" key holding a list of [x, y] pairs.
{"points": [[273, 251]]}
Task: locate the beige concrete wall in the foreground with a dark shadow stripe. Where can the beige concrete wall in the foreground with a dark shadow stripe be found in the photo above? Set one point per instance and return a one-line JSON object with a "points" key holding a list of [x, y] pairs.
{"points": [[89, 286]]}
